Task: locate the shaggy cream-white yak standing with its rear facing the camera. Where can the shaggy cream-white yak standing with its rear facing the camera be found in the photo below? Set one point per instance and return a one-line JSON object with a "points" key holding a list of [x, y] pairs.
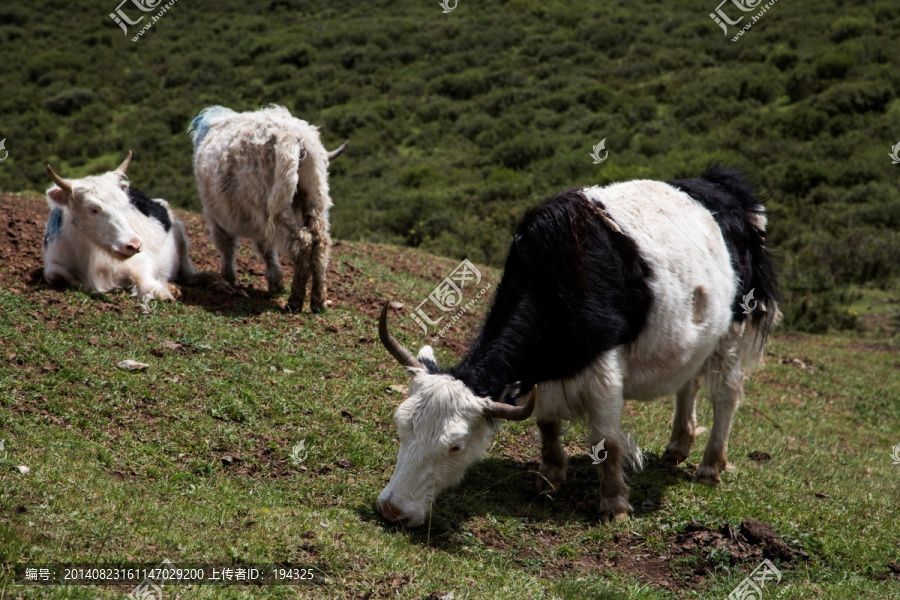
{"points": [[263, 175]]}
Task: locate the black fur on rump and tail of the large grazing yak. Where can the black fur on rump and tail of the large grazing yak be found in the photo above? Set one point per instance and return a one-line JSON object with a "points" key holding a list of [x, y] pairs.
{"points": [[731, 200]]}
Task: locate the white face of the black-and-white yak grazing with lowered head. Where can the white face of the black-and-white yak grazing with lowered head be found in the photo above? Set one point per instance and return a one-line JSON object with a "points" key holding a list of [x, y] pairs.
{"points": [[442, 431]]}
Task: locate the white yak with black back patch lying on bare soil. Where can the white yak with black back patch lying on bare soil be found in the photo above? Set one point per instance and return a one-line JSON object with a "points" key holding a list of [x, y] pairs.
{"points": [[104, 235]]}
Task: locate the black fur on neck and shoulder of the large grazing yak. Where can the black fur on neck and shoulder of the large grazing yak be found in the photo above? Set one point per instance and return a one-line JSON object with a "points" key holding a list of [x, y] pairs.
{"points": [[572, 289]]}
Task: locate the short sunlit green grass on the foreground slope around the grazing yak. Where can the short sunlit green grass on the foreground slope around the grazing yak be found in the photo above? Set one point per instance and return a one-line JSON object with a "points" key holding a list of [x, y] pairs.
{"points": [[129, 465]]}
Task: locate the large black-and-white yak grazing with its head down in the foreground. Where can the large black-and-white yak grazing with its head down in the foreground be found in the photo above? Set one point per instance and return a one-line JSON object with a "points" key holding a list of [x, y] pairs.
{"points": [[635, 290]]}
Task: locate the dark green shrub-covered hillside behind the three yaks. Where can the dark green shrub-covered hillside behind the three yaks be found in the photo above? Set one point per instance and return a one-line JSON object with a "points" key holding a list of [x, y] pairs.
{"points": [[459, 122]]}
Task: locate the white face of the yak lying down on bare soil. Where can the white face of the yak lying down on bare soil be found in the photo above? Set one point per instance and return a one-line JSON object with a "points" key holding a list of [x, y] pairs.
{"points": [[99, 207]]}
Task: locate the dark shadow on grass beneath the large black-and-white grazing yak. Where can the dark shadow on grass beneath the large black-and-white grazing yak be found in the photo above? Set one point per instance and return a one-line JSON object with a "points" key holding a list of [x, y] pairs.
{"points": [[504, 488]]}
